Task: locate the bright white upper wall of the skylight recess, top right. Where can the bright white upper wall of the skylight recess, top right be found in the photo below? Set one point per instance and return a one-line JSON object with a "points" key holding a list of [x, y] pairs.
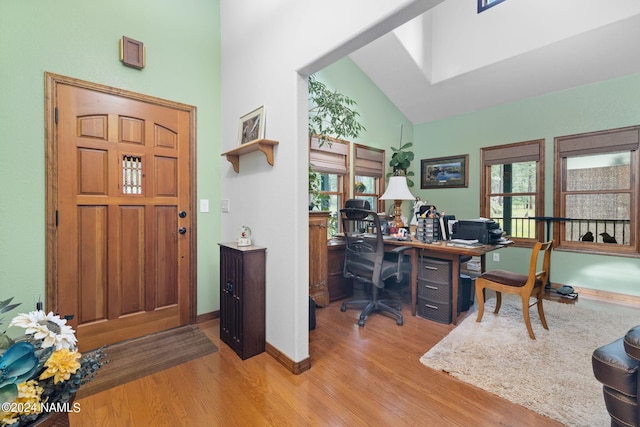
{"points": [[464, 41]]}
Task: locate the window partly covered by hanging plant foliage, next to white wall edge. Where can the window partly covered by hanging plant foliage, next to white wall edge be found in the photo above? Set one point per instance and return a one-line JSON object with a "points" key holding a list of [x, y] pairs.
{"points": [[330, 163]]}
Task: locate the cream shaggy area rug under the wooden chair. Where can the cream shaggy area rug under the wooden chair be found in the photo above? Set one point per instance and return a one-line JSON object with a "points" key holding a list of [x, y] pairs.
{"points": [[551, 375]]}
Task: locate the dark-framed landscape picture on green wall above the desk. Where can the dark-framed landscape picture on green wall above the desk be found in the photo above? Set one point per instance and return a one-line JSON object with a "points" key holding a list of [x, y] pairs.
{"points": [[445, 172]]}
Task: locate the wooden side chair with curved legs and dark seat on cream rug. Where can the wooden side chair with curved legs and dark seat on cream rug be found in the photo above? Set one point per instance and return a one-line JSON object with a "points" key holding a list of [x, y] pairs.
{"points": [[527, 286]]}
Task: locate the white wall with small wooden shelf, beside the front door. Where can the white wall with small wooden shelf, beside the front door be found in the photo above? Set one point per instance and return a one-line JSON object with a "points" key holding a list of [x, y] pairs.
{"points": [[265, 45]]}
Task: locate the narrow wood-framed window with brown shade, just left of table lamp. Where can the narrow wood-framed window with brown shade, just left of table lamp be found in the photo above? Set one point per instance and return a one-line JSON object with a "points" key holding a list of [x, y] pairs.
{"points": [[369, 175]]}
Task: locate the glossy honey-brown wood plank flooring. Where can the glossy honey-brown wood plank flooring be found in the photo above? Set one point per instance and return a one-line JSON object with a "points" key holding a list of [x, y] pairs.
{"points": [[369, 376]]}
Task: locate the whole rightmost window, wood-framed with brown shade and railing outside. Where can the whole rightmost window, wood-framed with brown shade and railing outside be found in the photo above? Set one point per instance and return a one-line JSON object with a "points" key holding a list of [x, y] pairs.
{"points": [[597, 191]]}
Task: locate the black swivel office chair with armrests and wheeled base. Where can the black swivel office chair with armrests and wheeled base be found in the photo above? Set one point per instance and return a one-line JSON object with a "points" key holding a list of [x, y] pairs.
{"points": [[365, 259]]}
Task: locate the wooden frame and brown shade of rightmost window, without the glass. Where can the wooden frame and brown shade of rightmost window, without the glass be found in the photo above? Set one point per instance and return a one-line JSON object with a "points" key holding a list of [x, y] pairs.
{"points": [[599, 142]]}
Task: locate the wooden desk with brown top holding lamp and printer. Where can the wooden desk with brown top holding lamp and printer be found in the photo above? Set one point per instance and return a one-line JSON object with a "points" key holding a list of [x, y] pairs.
{"points": [[441, 250]]}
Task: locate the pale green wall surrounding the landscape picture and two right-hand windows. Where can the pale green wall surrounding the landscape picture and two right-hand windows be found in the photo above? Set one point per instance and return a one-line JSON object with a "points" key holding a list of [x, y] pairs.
{"points": [[604, 105]]}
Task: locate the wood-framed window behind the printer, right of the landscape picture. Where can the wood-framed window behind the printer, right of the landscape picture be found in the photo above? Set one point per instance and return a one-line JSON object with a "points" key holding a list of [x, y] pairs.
{"points": [[513, 191]]}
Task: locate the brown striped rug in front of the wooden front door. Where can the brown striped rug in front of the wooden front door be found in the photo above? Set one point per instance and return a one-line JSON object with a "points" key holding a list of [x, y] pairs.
{"points": [[134, 359]]}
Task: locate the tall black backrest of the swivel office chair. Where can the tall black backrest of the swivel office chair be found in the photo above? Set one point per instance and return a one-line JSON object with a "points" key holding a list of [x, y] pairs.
{"points": [[364, 243]]}
